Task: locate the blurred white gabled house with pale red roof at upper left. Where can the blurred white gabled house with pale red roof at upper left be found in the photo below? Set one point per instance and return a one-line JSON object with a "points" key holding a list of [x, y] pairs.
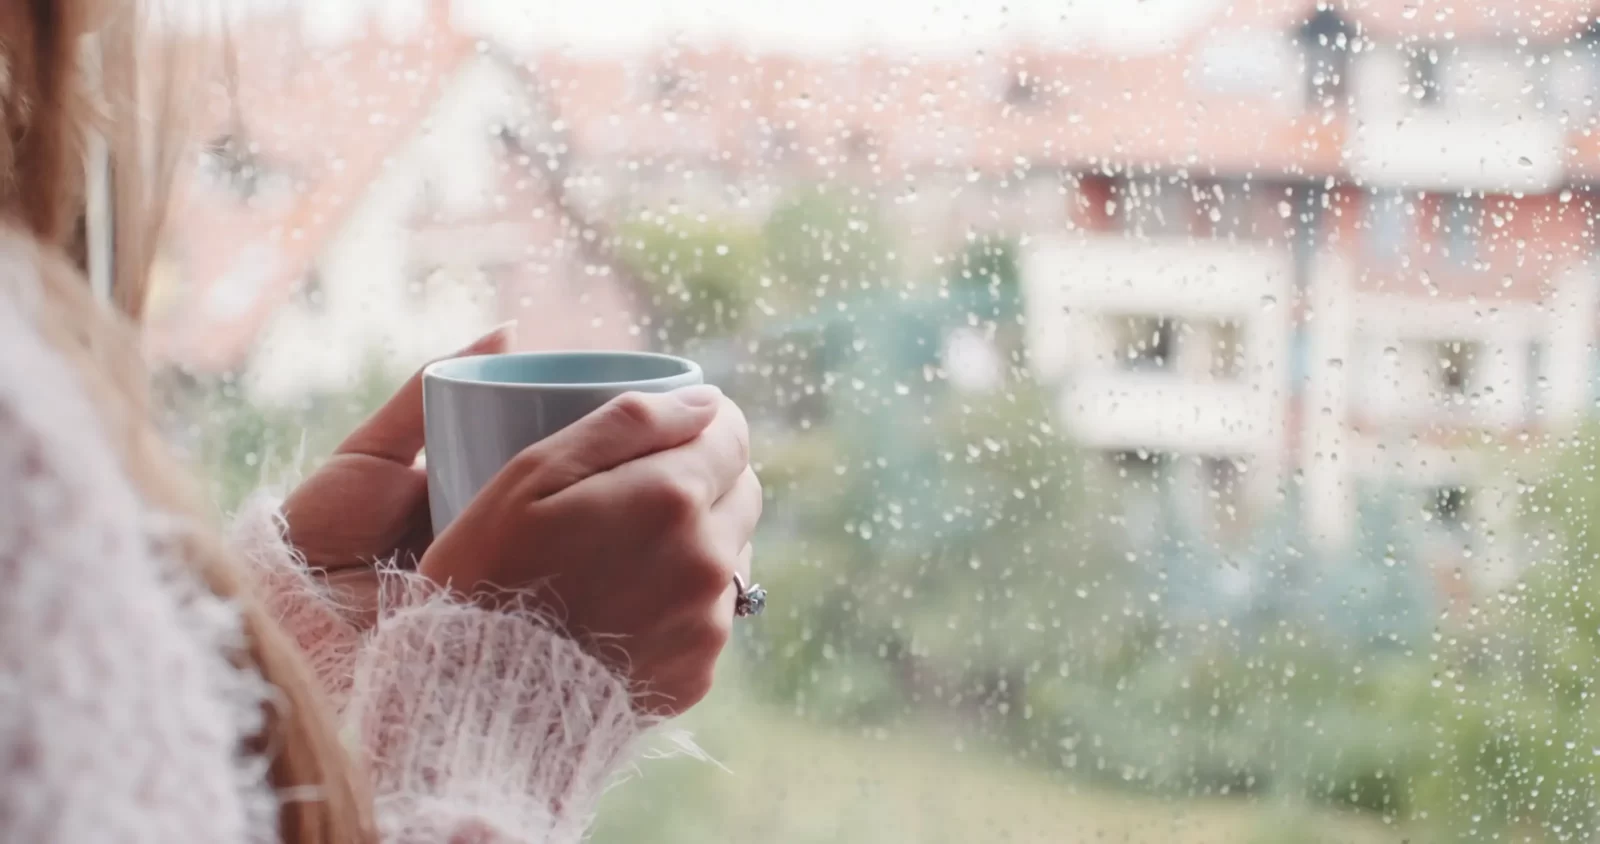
{"points": [[372, 201]]}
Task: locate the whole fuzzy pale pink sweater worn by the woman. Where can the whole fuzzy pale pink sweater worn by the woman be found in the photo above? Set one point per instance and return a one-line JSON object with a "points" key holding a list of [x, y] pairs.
{"points": [[122, 722]]}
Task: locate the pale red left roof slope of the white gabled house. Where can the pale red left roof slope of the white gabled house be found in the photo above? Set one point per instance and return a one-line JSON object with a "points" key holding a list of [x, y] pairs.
{"points": [[322, 119]]}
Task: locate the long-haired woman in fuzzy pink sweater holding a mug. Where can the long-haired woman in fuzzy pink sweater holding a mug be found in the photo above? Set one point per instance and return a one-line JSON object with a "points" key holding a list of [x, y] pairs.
{"points": [[159, 683]]}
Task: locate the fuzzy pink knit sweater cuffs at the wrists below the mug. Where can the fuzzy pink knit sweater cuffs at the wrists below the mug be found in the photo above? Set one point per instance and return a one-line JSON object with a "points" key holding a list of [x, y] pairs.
{"points": [[479, 727]]}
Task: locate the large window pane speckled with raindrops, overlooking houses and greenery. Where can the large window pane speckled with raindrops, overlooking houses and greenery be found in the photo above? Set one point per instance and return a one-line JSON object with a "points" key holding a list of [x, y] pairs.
{"points": [[1177, 416]]}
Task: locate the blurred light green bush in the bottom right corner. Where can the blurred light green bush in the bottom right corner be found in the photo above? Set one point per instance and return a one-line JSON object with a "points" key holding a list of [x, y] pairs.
{"points": [[1510, 701]]}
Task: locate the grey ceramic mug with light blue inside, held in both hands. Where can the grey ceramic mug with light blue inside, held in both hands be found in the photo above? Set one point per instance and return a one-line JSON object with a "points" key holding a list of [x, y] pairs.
{"points": [[482, 412]]}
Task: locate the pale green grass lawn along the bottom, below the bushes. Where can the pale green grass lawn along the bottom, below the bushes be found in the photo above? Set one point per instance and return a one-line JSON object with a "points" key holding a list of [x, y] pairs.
{"points": [[791, 782]]}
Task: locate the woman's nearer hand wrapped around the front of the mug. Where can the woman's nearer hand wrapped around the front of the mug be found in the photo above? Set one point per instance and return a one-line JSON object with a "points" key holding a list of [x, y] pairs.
{"points": [[631, 524]]}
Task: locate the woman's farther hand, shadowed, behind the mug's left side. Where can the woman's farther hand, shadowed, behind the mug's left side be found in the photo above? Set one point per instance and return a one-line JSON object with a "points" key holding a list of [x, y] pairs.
{"points": [[370, 500]]}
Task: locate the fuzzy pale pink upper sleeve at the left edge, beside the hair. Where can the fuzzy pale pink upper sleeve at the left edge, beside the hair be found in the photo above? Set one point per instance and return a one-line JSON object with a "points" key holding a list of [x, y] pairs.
{"points": [[121, 714]]}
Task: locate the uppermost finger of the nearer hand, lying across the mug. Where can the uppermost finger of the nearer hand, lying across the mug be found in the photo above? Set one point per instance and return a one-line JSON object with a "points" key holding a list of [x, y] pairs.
{"points": [[626, 429]]}
